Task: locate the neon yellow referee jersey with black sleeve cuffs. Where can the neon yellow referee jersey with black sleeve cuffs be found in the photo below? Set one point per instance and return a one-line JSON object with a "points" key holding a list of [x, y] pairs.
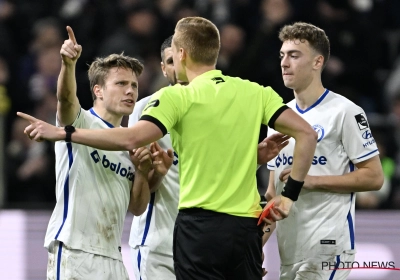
{"points": [[214, 124]]}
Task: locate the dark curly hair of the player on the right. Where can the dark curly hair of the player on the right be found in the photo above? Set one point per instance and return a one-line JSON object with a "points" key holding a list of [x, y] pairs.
{"points": [[315, 36]]}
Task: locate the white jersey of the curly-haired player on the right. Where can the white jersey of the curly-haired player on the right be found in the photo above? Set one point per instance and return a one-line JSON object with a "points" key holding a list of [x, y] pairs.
{"points": [[323, 222]]}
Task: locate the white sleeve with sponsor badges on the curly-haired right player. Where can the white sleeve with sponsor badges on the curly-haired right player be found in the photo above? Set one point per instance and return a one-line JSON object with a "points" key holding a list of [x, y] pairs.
{"points": [[357, 138]]}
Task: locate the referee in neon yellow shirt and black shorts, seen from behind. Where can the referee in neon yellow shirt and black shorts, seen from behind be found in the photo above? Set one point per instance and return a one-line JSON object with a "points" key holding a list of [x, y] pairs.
{"points": [[214, 121]]}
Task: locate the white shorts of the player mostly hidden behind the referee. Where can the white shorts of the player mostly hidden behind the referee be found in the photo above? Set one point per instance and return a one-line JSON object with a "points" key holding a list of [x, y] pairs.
{"points": [[150, 265]]}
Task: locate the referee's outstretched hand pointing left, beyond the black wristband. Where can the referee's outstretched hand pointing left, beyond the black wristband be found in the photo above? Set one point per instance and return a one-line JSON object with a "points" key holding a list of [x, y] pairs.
{"points": [[39, 130]]}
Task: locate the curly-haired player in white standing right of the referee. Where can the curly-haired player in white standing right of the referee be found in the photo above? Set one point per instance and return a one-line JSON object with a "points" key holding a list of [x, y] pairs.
{"points": [[320, 227]]}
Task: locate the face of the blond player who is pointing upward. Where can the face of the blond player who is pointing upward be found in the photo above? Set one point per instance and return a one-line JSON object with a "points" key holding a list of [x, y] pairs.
{"points": [[120, 92]]}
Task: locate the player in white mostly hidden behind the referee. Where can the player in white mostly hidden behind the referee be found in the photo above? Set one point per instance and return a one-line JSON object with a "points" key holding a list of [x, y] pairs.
{"points": [[151, 233]]}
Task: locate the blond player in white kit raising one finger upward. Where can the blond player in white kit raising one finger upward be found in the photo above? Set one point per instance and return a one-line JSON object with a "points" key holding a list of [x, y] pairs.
{"points": [[94, 187]]}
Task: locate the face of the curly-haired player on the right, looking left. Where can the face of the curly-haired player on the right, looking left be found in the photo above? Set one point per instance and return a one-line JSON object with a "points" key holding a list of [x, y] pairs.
{"points": [[297, 64]]}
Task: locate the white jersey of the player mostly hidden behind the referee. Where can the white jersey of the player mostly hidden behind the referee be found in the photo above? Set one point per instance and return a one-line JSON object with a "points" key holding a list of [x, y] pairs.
{"points": [[155, 227]]}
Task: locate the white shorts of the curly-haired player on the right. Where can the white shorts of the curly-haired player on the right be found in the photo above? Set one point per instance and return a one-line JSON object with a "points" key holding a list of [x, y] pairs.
{"points": [[318, 269]]}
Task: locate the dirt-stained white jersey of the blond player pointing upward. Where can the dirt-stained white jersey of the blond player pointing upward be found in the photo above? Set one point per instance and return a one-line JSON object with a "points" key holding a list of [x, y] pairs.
{"points": [[93, 191]]}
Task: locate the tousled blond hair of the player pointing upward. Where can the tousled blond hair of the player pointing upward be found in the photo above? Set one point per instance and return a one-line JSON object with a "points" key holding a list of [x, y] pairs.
{"points": [[101, 66]]}
